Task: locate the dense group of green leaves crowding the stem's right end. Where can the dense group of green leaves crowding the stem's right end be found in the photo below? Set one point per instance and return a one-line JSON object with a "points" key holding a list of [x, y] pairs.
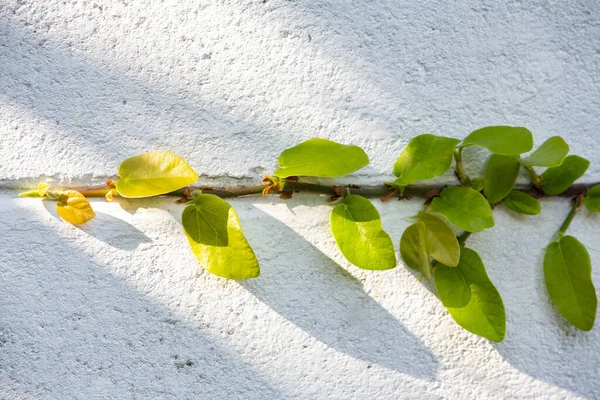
{"points": [[462, 283]]}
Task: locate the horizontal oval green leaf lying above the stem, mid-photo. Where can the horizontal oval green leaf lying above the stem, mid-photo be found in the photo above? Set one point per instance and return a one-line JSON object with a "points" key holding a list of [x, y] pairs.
{"points": [[321, 157]]}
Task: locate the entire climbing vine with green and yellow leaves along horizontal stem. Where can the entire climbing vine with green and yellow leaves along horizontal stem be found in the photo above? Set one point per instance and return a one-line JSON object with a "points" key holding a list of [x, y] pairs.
{"points": [[433, 245]]}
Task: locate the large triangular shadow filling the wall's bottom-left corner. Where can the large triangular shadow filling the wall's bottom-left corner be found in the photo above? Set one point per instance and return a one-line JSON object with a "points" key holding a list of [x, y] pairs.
{"points": [[70, 328]]}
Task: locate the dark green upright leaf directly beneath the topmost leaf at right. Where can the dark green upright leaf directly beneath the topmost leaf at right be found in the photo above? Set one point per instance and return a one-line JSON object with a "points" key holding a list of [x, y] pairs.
{"points": [[500, 176]]}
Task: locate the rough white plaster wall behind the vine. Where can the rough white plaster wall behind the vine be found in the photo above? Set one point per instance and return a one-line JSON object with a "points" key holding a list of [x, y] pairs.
{"points": [[118, 309]]}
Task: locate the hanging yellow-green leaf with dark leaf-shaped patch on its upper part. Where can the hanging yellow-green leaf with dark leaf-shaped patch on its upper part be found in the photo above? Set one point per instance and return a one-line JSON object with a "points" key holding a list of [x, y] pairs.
{"points": [[215, 236]]}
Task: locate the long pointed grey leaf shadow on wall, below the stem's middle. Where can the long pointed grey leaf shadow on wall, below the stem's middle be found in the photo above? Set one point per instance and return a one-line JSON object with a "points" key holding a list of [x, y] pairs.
{"points": [[331, 305]]}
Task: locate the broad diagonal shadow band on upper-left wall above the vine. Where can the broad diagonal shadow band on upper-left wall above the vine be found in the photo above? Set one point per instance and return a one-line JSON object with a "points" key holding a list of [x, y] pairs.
{"points": [[105, 114]]}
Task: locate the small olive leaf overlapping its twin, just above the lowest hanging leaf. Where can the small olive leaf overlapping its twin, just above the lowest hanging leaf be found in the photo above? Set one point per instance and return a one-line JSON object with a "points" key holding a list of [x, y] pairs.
{"points": [[440, 240]]}
